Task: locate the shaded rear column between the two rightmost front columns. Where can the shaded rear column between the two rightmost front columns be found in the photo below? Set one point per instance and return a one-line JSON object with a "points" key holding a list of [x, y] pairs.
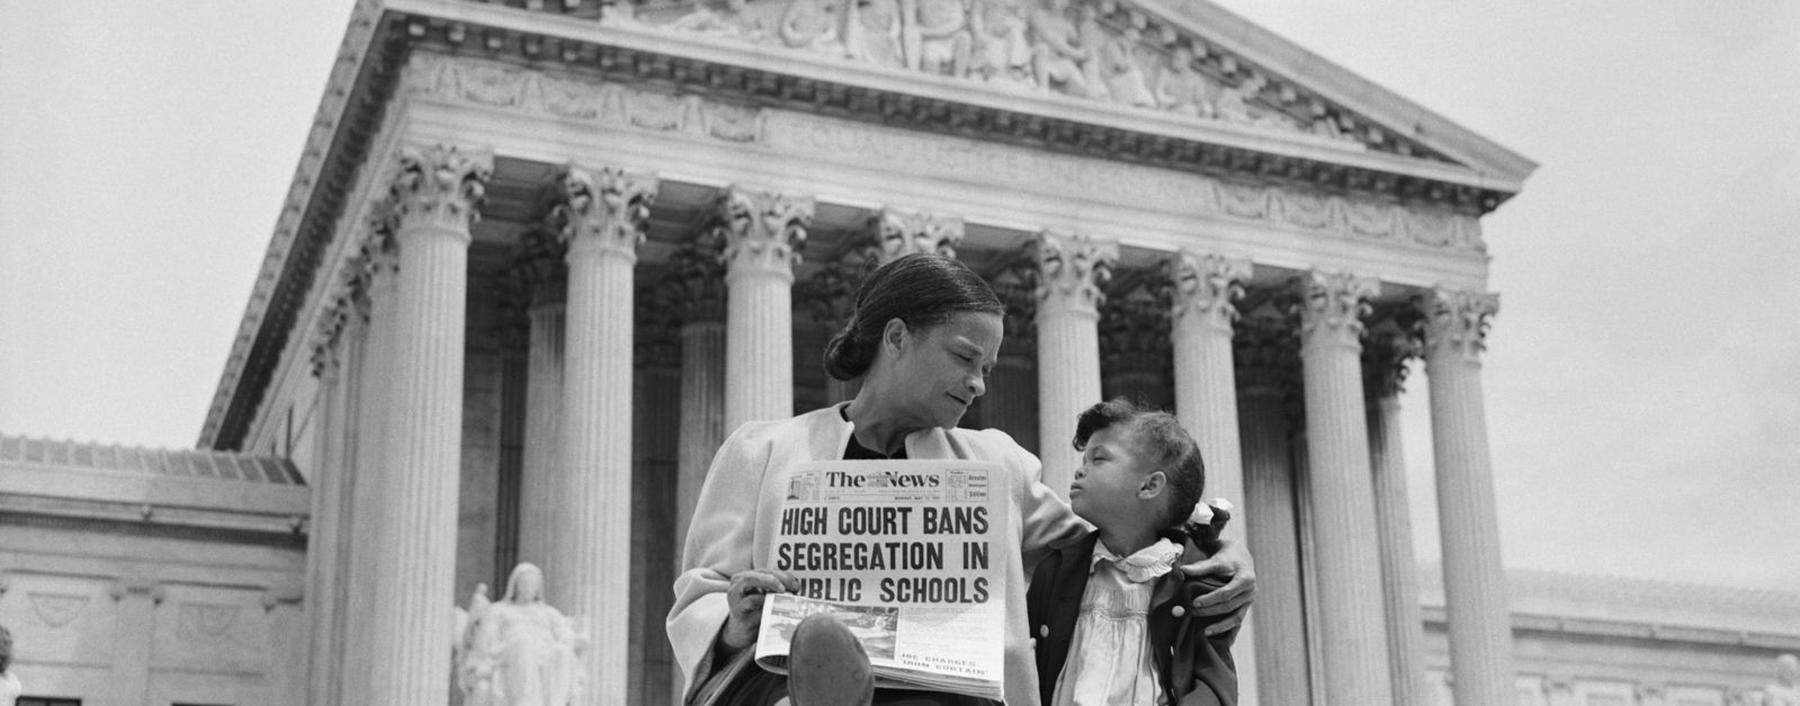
{"points": [[1385, 359]]}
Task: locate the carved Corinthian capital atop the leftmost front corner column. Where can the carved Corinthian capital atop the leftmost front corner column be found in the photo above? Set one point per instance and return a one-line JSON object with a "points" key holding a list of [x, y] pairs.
{"points": [[440, 188]]}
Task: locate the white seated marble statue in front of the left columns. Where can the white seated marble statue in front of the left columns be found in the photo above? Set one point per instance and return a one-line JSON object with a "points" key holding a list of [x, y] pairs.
{"points": [[519, 651]]}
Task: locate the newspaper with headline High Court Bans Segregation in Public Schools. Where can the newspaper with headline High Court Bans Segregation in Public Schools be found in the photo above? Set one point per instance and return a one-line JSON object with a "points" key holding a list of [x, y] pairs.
{"points": [[906, 554]]}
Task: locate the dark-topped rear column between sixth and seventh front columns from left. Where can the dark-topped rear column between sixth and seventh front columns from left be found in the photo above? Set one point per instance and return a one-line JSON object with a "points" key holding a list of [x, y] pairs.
{"points": [[1268, 363]]}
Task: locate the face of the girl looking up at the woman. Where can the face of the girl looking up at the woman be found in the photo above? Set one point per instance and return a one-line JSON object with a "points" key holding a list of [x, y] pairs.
{"points": [[1113, 482]]}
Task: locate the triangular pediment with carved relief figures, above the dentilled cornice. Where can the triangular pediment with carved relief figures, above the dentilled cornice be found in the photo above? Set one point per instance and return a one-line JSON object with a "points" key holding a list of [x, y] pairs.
{"points": [[1180, 59]]}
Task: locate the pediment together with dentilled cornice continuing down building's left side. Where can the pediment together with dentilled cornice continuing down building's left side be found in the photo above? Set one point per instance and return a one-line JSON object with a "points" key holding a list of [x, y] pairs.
{"points": [[1246, 105]]}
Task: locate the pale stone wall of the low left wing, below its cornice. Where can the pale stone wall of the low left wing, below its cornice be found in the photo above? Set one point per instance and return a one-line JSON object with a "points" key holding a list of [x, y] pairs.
{"points": [[121, 619]]}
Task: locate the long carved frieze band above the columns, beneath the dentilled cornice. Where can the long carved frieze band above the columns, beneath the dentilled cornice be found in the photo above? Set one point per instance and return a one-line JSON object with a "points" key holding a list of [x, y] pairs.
{"points": [[908, 152]]}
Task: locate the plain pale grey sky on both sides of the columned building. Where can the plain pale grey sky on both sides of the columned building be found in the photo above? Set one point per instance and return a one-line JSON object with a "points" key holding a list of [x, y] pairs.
{"points": [[1644, 372]]}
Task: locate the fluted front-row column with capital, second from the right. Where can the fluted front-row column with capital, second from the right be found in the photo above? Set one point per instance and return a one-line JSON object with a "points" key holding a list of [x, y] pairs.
{"points": [[1344, 505]]}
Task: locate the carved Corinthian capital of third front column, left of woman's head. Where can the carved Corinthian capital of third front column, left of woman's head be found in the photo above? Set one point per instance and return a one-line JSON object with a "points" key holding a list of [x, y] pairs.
{"points": [[762, 231]]}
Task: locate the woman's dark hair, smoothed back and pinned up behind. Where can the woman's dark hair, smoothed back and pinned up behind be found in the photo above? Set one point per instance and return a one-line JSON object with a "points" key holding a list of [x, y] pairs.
{"points": [[922, 291]]}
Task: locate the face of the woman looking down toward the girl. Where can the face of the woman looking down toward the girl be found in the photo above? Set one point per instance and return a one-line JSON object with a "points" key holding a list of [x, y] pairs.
{"points": [[940, 370]]}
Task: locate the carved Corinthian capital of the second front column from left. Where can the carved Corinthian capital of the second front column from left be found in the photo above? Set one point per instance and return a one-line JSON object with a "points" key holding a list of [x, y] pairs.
{"points": [[604, 212]]}
